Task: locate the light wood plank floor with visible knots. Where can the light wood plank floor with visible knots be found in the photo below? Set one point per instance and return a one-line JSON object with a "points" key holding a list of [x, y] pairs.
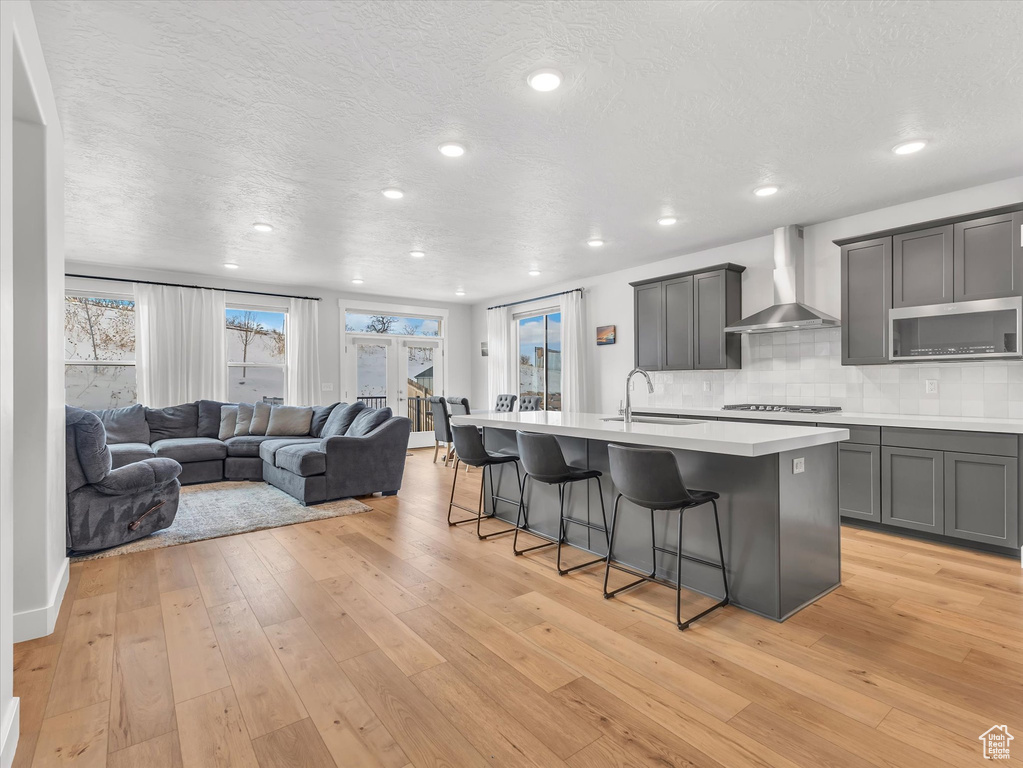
{"points": [[389, 640]]}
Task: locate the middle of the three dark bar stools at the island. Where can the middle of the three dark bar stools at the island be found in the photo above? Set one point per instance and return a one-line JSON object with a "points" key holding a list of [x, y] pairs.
{"points": [[544, 462]]}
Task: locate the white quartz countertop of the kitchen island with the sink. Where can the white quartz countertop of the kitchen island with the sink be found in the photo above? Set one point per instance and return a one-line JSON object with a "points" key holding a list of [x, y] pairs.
{"points": [[709, 437]]}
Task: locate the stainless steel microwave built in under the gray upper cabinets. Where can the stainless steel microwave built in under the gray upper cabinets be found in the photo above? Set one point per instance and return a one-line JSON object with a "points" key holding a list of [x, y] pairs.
{"points": [[989, 329]]}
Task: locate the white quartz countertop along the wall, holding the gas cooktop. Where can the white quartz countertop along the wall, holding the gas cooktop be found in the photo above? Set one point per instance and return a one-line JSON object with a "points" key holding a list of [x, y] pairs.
{"points": [[963, 424]]}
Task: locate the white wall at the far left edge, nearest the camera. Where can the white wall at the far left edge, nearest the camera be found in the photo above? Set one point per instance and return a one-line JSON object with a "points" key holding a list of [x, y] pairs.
{"points": [[32, 510]]}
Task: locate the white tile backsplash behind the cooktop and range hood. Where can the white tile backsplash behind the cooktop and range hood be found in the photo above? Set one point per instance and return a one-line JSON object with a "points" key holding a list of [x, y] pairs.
{"points": [[805, 368]]}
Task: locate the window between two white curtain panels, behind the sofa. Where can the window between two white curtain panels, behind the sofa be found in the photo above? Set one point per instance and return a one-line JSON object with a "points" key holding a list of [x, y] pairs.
{"points": [[256, 355]]}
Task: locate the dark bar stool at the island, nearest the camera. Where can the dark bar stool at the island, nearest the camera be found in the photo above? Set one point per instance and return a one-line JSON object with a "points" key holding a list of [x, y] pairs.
{"points": [[650, 478]]}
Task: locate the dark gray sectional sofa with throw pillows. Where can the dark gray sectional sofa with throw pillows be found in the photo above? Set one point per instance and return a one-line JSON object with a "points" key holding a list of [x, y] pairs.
{"points": [[346, 450]]}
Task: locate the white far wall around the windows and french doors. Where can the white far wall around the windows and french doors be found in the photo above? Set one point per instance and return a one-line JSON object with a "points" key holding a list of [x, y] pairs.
{"points": [[458, 336]]}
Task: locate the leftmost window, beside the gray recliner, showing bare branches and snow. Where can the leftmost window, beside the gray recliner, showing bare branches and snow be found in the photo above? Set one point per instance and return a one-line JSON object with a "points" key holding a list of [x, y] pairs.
{"points": [[100, 352]]}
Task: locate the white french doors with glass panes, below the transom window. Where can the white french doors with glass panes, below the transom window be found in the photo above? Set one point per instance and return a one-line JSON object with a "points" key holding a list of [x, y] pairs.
{"points": [[402, 374]]}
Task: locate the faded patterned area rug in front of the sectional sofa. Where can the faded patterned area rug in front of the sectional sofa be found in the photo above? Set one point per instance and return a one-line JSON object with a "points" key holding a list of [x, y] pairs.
{"points": [[215, 510]]}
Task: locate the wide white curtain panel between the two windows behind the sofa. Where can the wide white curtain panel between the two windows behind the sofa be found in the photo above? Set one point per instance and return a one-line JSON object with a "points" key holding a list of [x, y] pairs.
{"points": [[182, 345]]}
